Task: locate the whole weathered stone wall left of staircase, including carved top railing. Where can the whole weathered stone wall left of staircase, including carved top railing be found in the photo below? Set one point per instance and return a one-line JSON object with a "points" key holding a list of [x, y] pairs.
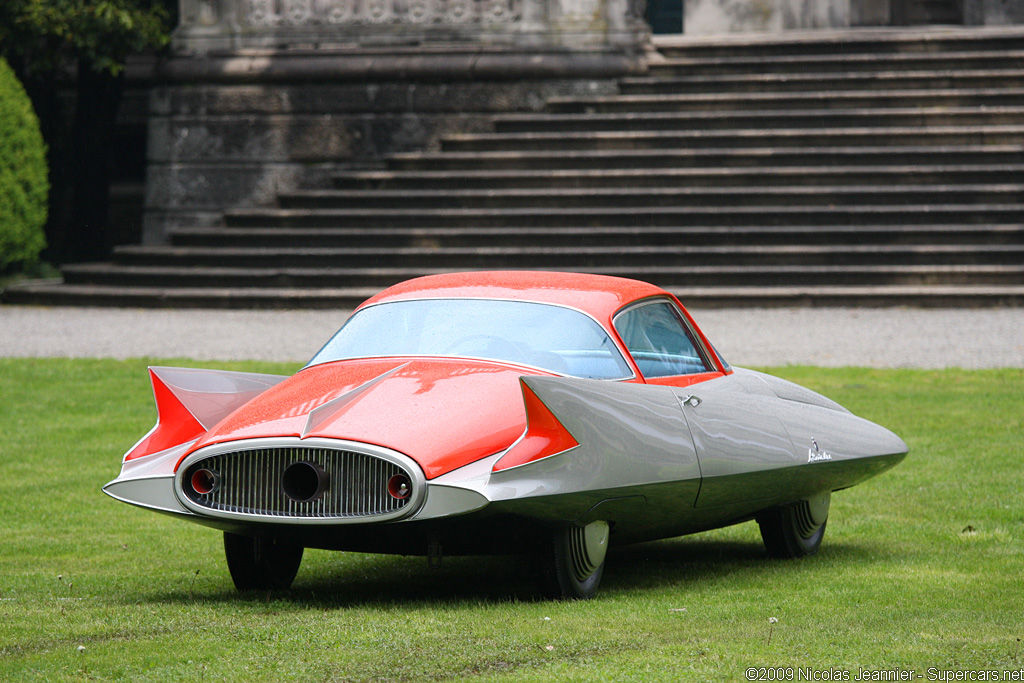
{"points": [[263, 97]]}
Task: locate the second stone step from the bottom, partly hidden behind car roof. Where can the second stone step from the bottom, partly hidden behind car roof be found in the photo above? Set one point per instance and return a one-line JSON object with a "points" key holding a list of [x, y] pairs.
{"points": [[366, 280]]}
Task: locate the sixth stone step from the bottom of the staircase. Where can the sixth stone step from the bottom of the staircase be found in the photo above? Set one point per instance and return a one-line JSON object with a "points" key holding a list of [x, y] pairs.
{"points": [[653, 197]]}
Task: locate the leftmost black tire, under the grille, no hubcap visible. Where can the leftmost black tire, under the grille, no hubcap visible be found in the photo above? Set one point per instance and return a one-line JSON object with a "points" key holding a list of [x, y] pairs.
{"points": [[260, 565]]}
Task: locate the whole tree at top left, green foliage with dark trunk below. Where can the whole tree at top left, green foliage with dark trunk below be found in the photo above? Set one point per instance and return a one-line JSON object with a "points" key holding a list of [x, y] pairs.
{"points": [[79, 48]]}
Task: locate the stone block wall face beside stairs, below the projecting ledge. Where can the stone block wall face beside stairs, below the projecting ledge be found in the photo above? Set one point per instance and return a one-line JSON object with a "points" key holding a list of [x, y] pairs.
{"points": [[219, 146]]}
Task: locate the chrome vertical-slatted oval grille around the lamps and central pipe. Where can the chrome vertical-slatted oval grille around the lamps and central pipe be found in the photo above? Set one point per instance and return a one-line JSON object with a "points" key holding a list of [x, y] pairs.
{"points": [[251, 482]]}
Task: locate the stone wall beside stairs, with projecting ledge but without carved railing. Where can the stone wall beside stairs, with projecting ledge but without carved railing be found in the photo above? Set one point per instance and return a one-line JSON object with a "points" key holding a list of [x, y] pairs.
{"points": [[234, 132]]}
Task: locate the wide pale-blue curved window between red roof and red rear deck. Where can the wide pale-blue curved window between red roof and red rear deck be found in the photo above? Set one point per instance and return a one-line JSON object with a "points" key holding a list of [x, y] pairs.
{"points": [[553, 338]]}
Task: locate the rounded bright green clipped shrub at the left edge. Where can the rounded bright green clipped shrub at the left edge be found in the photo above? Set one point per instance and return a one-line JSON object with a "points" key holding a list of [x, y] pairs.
{"points": [[24, 184]]}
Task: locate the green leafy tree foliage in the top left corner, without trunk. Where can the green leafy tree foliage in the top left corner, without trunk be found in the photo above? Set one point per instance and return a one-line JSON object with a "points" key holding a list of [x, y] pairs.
{"points": [[45, 34]]}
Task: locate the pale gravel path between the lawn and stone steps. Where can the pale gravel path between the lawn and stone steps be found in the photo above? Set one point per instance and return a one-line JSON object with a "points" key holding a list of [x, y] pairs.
{"points": [[869, 337]]}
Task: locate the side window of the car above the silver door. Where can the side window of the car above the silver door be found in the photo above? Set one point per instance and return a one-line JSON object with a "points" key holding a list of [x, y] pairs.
{"points": [[660, 340]]}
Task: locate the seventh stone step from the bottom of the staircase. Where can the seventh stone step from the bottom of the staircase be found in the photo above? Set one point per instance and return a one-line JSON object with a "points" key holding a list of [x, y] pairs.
{"points": [[690, 178]]}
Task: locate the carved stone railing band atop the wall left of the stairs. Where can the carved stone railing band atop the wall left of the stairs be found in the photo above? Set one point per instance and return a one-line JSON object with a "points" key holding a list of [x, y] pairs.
{"points": [[234, 25]]}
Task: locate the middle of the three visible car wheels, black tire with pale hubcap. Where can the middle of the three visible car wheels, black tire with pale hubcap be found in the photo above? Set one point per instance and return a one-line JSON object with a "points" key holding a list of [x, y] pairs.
{"points": [[576, 562]]}
